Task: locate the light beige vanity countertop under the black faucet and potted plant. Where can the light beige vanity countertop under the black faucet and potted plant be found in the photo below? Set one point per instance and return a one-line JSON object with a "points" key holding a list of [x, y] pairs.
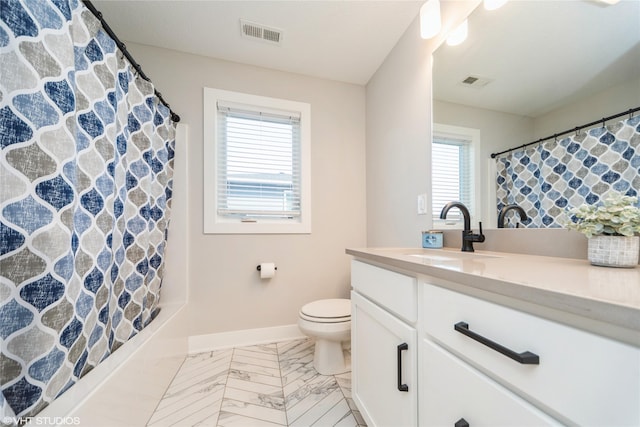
{"points": [[610, 295]]}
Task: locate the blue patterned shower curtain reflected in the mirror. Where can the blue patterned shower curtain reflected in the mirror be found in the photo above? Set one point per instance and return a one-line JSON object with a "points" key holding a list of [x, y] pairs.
{"points": [[546, 179]]}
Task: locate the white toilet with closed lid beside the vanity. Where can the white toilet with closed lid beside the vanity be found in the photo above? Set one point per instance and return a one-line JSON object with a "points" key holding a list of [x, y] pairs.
{"points": [[329, 322]]}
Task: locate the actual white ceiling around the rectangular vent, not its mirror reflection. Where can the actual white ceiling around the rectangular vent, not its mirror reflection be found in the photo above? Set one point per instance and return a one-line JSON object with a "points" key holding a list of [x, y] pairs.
{"points": [[344, 40]]}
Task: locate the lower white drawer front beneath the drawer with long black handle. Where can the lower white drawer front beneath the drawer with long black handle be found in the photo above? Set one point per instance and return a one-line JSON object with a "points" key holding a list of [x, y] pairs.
{"points": [[452, 393]]}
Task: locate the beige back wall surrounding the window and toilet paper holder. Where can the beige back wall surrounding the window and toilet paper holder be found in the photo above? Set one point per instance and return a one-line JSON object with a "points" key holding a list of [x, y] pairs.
{"points": [[224, 290]]}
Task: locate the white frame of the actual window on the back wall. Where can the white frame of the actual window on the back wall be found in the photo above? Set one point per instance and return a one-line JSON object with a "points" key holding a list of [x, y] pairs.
{"points": [[214, 223]]}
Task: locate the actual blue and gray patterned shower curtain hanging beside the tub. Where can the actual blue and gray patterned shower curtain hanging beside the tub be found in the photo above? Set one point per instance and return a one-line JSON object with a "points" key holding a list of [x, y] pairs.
{"points": [[85, 189]]}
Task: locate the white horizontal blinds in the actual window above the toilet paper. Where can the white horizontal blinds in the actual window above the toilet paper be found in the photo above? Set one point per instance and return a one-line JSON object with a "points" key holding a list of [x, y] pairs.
{"points": [[258, 163]]}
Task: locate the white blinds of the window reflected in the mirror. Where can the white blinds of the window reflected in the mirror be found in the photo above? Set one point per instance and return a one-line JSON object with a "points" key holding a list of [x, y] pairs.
{"points": [[452, 175]]}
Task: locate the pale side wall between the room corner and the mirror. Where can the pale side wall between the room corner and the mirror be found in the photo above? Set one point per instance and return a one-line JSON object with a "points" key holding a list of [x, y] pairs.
{"points": [[399, 135]]}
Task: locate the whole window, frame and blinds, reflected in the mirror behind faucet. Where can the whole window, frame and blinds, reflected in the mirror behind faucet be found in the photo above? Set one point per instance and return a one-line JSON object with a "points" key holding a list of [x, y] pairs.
{"points": [[453, 171]]}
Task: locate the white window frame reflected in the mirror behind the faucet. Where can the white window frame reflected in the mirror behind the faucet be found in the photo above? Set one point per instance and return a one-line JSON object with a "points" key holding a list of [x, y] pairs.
{"points": [[473, 136]]}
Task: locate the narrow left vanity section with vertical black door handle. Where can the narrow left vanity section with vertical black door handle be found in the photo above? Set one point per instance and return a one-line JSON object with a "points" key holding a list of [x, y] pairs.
{"points": [[383, 346]]}
